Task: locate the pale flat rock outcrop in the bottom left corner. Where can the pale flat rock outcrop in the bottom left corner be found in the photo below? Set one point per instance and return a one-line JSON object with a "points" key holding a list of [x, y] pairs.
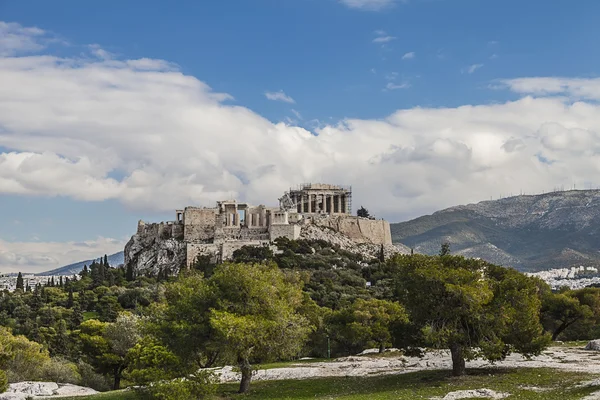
{"points": [[44, 390]]}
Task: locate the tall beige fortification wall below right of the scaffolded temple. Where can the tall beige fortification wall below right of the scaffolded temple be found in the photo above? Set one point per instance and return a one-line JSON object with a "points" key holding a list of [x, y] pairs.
{"points": [[360, 230]]}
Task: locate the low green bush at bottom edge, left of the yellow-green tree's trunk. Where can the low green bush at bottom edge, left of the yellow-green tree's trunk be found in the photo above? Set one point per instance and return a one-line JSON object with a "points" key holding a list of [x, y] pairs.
{"points": [[196, 386]]}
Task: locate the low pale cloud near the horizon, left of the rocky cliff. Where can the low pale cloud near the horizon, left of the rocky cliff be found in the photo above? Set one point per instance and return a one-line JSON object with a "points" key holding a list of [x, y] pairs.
{"points": [[32, 257]]}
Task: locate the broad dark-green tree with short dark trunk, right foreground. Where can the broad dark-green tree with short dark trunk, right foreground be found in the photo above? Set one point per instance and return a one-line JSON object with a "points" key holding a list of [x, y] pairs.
{"points": [[471, 307]]}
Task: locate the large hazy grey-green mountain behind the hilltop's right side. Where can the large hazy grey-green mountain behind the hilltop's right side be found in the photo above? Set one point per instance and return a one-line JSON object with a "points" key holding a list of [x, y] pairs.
{"points": [[530, 233]]}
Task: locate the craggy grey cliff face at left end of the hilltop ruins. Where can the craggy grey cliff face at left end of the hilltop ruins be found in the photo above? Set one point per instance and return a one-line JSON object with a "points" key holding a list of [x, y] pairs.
{"points": [[149, 254]]}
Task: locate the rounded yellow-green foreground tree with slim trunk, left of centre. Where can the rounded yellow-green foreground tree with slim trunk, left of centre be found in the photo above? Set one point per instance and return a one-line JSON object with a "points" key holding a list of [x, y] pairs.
{"points": [[257, 314]]}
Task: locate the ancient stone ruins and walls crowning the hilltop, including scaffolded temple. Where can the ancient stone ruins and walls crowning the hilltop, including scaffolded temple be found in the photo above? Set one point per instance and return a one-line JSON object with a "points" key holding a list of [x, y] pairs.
{"points": [[220, 230]]}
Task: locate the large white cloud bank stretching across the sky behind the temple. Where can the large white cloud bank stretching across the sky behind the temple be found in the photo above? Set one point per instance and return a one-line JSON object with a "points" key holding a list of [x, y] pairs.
{"points": [[176, 142]]}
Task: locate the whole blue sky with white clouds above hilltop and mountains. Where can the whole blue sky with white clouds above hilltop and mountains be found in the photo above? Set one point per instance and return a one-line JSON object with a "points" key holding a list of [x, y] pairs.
{"points": [[116, 111]]}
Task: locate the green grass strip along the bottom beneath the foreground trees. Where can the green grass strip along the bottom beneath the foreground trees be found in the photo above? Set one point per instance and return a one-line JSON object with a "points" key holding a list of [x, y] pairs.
{"points": [[559, 385]]}
